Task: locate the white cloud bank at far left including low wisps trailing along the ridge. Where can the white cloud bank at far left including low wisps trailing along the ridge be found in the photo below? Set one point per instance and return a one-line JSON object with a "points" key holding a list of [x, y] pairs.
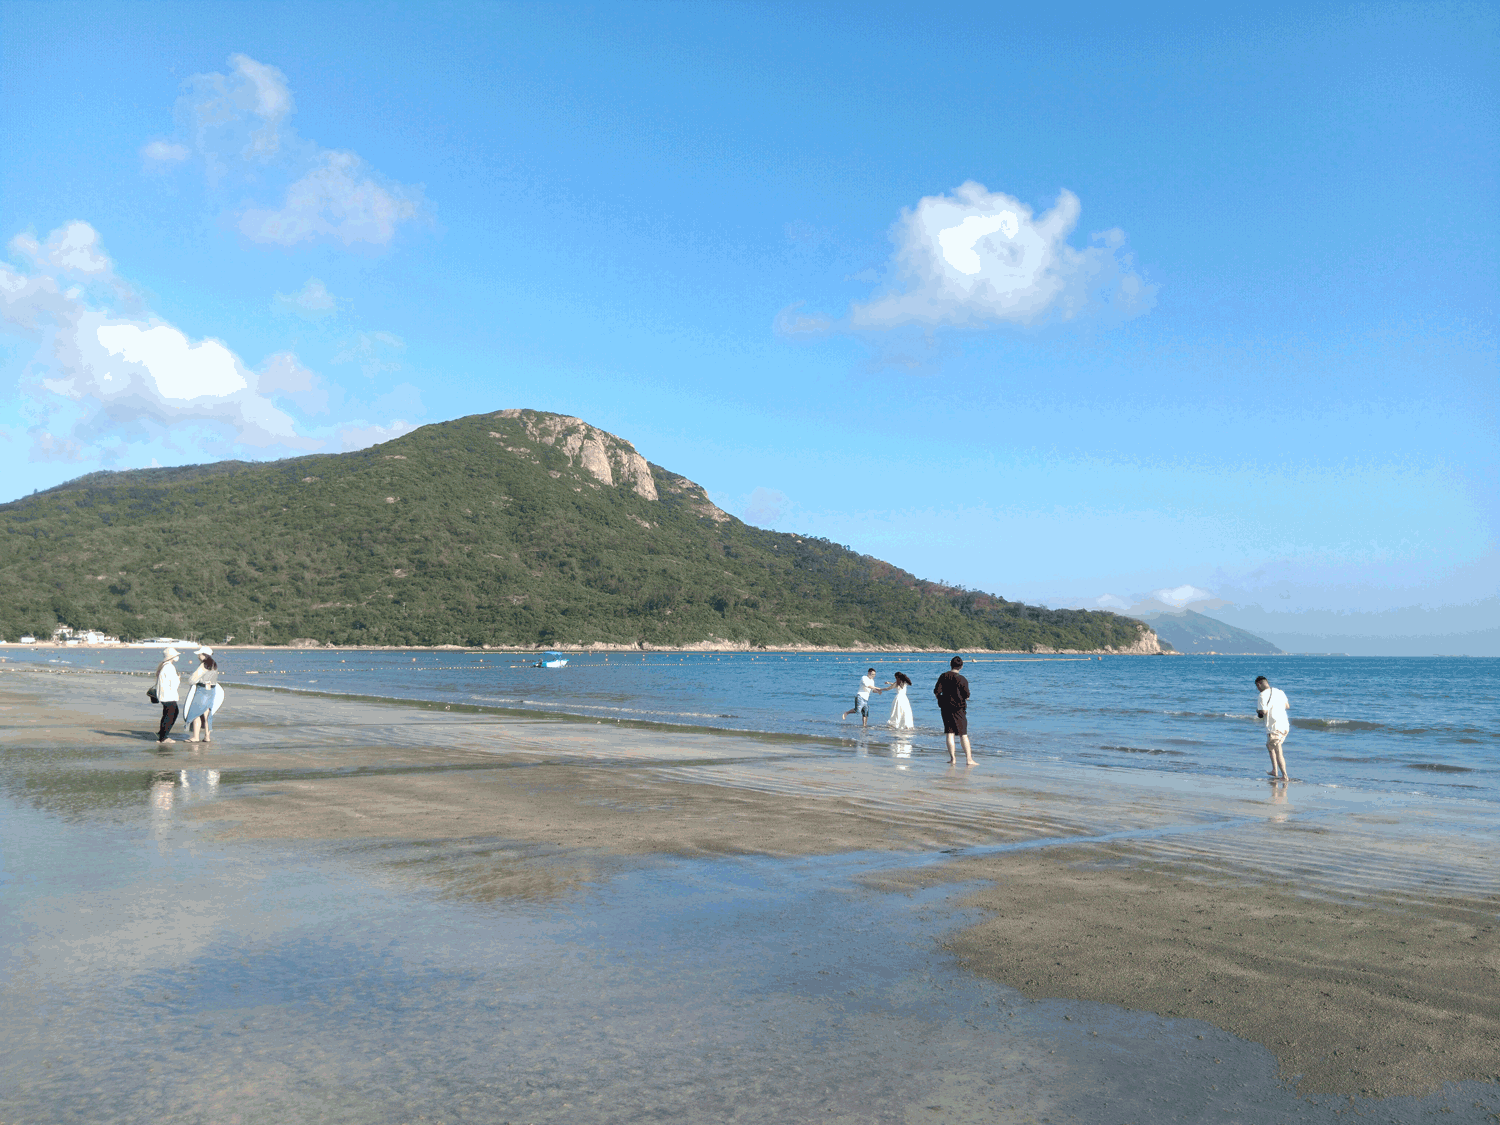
{"points": [[109, 373]]}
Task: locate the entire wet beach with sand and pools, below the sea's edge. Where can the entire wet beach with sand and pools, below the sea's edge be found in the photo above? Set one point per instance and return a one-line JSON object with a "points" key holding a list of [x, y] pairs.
{"points": [[356, 911]]}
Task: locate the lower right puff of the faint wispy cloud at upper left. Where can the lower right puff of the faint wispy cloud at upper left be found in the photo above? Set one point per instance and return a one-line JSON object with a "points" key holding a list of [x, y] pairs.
{"points": [[343, 200]]}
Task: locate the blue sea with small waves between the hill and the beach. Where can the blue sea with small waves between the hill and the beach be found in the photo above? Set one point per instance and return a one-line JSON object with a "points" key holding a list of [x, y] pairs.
{"points": [[1424, 725]]}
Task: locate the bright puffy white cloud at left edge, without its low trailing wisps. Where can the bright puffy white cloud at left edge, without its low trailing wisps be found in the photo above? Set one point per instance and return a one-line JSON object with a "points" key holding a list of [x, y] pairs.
{"points": [[103, 377]]}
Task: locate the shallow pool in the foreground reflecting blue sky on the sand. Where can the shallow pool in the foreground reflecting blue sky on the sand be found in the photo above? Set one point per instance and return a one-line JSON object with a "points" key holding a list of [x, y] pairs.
{"points": [[182, 982]]}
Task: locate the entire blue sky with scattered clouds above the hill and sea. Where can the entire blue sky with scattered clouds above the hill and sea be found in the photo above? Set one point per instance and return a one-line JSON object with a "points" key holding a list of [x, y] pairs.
{"points": [[1061, 307]]}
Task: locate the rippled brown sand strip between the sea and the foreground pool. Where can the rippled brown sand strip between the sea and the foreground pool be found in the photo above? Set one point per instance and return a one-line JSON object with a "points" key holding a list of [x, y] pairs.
{"points": [[1369, 920]]}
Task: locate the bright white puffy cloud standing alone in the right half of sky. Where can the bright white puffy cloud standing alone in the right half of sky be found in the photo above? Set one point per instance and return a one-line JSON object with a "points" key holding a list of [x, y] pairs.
{"points": [[977, 259]]}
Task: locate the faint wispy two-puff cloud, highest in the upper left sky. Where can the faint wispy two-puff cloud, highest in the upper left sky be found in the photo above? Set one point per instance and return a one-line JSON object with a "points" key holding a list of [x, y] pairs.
{"points": [[239, 122]]}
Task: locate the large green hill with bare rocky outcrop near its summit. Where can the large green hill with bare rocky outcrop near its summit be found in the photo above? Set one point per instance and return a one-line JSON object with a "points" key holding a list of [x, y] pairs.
{"points": [[509, 529]]}
